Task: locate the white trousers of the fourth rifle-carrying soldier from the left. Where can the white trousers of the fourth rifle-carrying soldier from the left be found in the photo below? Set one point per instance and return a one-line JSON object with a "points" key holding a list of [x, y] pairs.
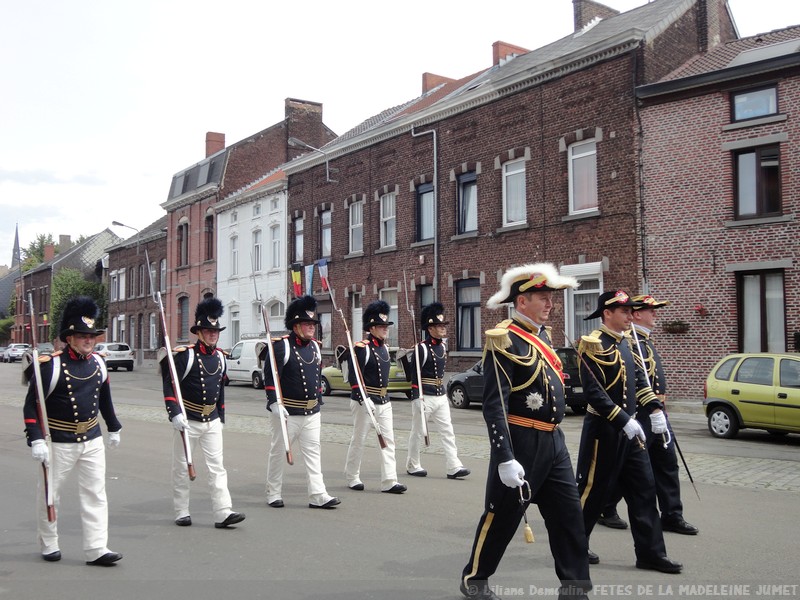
{"points": [[362, 425]]}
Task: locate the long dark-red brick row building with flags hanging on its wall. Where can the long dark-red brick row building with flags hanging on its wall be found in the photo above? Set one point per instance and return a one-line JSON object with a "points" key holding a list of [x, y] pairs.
{"points": [[535, 158]]}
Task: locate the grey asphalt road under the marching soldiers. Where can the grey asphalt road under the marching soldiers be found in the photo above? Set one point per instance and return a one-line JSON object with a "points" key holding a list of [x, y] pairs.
{"points": [[375, 545]]}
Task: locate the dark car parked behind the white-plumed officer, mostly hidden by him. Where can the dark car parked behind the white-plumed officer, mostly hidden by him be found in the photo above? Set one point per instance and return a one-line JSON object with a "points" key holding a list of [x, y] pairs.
{"points": [[464, 388]]}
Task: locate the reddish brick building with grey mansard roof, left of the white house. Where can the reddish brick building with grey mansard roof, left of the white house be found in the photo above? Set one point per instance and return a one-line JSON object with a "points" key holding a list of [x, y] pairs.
{"points": [[191, 222]]}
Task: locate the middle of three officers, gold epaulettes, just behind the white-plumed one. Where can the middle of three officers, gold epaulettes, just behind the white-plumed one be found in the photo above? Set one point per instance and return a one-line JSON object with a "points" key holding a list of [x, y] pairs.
{"points": [[611, 451]]}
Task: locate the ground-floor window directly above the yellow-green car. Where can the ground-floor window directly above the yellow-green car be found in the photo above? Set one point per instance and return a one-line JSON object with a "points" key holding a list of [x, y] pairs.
{"points": [[761, 312]]}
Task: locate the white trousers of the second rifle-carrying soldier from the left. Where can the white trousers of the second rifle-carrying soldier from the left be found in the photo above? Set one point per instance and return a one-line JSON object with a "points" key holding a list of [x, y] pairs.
{"points": [[209, 437]]}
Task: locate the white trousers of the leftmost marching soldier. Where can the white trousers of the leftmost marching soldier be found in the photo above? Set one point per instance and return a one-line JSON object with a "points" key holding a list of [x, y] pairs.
{"points": [[89, 459]]}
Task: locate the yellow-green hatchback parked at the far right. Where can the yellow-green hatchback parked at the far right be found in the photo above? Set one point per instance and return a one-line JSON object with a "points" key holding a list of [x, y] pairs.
{"points": [[758, 390]]}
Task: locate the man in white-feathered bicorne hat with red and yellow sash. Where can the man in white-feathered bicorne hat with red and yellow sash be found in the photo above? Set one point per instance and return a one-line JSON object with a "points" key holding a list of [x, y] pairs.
{"points": [[523, 405]]}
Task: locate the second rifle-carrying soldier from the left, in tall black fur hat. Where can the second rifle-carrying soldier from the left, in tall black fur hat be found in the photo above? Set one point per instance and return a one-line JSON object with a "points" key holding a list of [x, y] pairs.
{"points": [[201, 368]]}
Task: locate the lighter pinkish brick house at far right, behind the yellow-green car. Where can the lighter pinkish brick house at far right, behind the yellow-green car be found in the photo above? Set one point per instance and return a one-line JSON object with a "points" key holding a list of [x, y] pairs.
{"points": [[721, 197]]}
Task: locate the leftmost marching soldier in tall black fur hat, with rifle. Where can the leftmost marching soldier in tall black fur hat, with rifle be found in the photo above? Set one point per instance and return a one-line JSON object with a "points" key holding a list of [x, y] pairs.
{"points": [[77, 391]]}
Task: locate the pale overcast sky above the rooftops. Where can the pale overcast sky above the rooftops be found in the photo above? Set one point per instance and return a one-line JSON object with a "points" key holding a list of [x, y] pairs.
{"points": [[103, 101]]}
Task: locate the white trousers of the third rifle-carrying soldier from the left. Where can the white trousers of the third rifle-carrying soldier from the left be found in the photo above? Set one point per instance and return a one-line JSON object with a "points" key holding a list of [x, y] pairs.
{"points": [[304, 429]]}
